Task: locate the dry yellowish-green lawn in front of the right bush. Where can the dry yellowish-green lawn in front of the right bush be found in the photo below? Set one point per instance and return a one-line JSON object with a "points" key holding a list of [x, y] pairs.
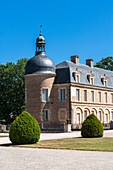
{"points": [[89, 144]]}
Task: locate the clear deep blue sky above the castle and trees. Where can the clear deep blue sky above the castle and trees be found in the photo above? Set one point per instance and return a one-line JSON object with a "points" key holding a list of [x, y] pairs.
{"points": [[81, 27]]}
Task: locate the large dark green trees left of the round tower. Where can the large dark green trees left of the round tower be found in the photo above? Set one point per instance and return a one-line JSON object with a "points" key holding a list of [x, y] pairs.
{"points": [[12, 89]]}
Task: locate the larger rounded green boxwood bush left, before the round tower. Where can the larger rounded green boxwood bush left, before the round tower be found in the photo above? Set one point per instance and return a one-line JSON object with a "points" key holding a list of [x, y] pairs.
{"points": [[24, 129]]}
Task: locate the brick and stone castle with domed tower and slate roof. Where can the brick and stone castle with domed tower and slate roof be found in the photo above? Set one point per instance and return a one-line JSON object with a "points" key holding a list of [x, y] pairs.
{"points": [[61, 97]]}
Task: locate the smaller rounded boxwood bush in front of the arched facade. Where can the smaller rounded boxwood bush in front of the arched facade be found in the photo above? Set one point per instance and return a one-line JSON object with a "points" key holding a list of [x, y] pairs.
{"points": [[92, 127]]}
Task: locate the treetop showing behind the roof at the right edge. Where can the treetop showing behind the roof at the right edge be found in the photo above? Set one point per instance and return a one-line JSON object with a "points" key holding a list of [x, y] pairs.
{"points": [[106, 63]]}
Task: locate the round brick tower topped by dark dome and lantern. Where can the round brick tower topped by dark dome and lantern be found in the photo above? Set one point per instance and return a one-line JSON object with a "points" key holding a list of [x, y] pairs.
{"points": [[39, 78]]}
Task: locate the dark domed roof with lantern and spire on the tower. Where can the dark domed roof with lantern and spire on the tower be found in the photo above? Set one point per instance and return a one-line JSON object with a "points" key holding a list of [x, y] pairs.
{"points": [[40, 63]]}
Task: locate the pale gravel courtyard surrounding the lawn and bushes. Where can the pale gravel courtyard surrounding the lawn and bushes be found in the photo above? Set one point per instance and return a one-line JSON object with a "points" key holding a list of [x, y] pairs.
{"points": [[50, 159]]}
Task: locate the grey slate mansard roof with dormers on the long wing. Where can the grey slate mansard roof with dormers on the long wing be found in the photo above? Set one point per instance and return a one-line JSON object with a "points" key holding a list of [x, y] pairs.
{"points": [[64, 72]]}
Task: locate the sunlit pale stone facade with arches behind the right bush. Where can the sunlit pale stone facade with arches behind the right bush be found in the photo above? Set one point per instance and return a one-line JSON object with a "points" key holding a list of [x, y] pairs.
{"points": [[101, 108]]}
